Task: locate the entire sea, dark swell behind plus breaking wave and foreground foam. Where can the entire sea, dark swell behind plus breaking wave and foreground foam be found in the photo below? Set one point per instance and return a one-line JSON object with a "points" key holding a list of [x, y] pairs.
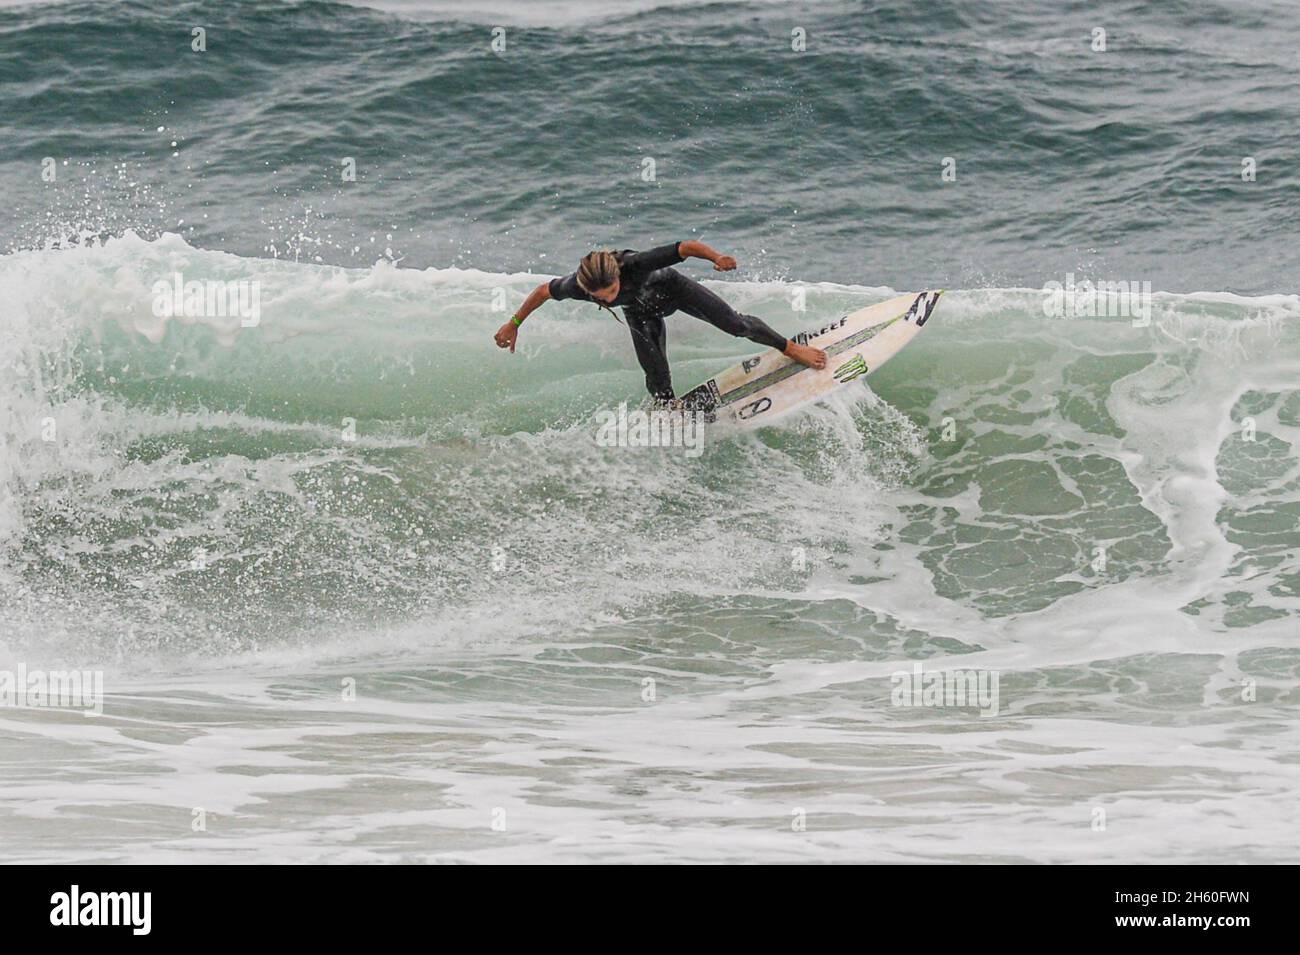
{"points": [[363, 588]]}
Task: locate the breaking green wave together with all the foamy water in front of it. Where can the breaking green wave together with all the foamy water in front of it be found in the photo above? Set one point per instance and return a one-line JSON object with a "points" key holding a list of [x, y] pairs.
{"points": [[366, 589]]}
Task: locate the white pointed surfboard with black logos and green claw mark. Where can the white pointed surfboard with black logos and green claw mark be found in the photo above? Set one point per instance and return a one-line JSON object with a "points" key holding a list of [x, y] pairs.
{"points": [[768, 387]]}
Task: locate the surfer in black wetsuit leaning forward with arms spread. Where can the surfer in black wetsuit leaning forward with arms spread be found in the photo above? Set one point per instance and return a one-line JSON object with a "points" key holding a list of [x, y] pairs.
{"points": [[649, 290]]}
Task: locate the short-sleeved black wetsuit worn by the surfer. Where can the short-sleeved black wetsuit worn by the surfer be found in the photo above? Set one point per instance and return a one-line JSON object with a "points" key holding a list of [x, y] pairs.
{"points": [[649, 292]]}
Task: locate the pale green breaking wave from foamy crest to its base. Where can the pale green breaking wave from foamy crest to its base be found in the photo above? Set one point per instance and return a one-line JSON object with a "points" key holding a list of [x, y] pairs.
{"points": [[365, 455]]}
